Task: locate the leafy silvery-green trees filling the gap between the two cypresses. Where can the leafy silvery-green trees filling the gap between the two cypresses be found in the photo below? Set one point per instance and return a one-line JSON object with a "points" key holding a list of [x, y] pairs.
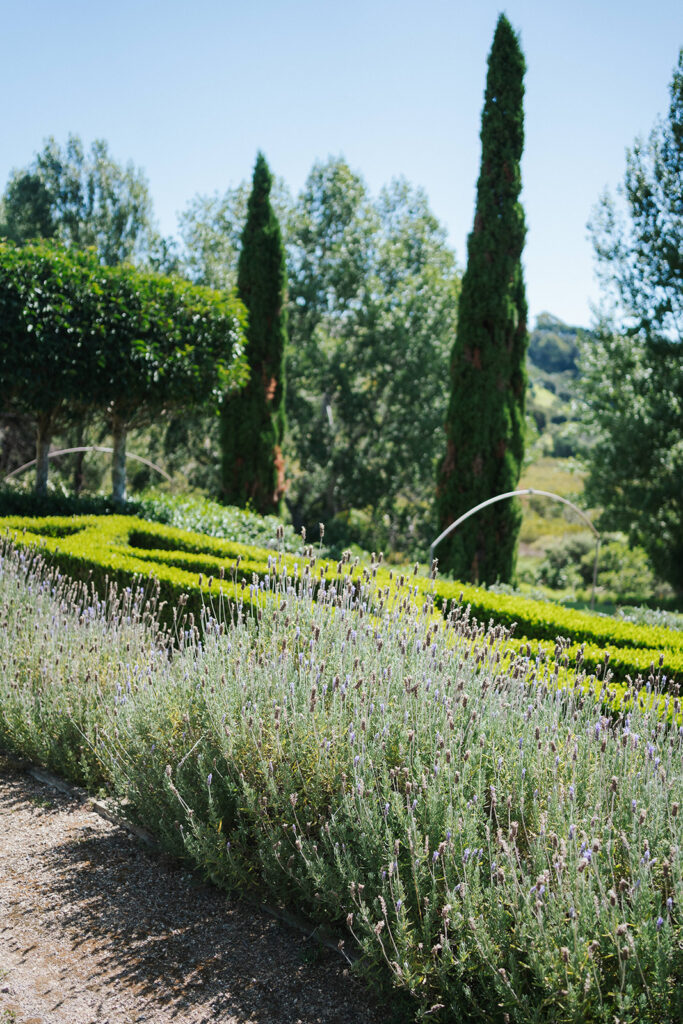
{"points": [[372, 310]]}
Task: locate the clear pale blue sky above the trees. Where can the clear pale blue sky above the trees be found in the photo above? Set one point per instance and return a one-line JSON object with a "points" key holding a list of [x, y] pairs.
{"points": [[191, 91]]}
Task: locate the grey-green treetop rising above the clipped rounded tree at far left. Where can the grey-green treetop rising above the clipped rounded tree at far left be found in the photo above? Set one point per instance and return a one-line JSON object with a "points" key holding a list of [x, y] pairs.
{"points": [[81, 200]]}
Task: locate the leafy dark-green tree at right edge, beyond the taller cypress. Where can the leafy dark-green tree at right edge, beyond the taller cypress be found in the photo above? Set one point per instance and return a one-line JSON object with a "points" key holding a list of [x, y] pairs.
{"points": [[632, 387]]}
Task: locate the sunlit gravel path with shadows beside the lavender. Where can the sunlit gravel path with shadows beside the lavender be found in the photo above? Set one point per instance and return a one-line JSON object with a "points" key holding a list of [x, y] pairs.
{"points": [[96, 929]]}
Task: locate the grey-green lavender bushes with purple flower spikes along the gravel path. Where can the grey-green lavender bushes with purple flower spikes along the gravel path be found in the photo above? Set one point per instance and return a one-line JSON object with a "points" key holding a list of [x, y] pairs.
{"points": [[521, 860]]}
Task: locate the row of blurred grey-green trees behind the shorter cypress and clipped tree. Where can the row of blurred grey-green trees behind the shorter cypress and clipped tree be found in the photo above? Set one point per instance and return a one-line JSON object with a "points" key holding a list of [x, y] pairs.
{"points": [[371, 308]]}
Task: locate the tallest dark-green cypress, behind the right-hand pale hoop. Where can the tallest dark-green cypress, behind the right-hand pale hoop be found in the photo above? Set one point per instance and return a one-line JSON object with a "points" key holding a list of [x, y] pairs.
{"points": [[486, 418]]}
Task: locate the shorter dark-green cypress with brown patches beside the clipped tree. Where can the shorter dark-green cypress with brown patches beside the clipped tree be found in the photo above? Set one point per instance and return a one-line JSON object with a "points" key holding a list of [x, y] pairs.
{"points": [[253, 420]]}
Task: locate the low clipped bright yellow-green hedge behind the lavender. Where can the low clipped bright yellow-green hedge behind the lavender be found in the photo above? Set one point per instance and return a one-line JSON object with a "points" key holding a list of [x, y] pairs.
{"points": [[118, 548]]}
